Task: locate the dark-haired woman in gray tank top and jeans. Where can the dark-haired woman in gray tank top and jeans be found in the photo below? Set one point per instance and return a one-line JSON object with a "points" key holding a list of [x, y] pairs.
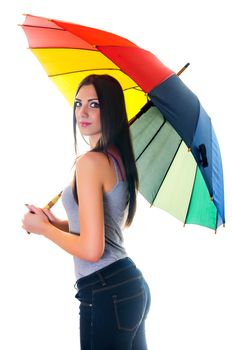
{"points": [[114, 297]]}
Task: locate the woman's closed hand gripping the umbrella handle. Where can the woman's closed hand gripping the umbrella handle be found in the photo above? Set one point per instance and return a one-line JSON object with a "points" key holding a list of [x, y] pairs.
{"points": [[35, 220]]}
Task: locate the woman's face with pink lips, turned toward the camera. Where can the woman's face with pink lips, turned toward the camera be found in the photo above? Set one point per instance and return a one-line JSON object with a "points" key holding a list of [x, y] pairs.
{"points": [[87, 112]]}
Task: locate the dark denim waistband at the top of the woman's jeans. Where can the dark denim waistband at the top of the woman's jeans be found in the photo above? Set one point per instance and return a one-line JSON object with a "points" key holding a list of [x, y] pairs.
{"points": [[105, 273]]}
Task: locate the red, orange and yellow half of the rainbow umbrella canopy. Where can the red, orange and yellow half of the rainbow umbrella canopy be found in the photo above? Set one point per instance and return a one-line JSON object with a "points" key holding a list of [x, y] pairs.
{"points": [[68, 52]]}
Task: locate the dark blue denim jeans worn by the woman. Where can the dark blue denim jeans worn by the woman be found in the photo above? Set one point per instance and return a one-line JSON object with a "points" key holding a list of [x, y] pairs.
{"points": [[114, 303]]}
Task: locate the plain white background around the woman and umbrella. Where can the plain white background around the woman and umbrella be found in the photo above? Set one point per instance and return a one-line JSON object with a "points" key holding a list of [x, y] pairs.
{"points": [[188, 269]]}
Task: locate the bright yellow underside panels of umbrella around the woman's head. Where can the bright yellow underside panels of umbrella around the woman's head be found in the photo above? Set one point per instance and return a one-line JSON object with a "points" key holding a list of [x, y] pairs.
{"points": [[67, 67]]}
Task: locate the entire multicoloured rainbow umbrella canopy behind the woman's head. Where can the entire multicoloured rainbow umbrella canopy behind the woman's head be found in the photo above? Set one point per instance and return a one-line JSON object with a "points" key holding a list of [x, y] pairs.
{"points": [[176, 149]]}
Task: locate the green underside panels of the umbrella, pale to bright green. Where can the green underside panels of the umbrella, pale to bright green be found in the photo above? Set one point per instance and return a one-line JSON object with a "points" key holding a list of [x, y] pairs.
{"points": [[169, 176]]}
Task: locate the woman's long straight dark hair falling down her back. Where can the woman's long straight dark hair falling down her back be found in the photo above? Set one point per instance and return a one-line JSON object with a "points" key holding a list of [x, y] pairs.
{"points": [[115, 131]]}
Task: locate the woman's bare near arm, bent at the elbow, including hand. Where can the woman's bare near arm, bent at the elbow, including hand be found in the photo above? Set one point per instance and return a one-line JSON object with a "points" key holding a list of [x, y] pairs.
{"points": [[90, 244]]}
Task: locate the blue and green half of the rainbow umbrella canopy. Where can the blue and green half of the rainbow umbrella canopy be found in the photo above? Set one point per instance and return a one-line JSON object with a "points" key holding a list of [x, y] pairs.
{"points": [[178, 156]]}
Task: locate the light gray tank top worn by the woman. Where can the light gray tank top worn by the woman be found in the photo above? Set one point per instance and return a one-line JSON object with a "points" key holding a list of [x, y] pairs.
{"points": [[115, 213]]}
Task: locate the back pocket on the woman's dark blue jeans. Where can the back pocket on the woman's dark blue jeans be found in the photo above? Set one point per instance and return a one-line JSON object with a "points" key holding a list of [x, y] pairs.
{"points": [[129, 311]]}
